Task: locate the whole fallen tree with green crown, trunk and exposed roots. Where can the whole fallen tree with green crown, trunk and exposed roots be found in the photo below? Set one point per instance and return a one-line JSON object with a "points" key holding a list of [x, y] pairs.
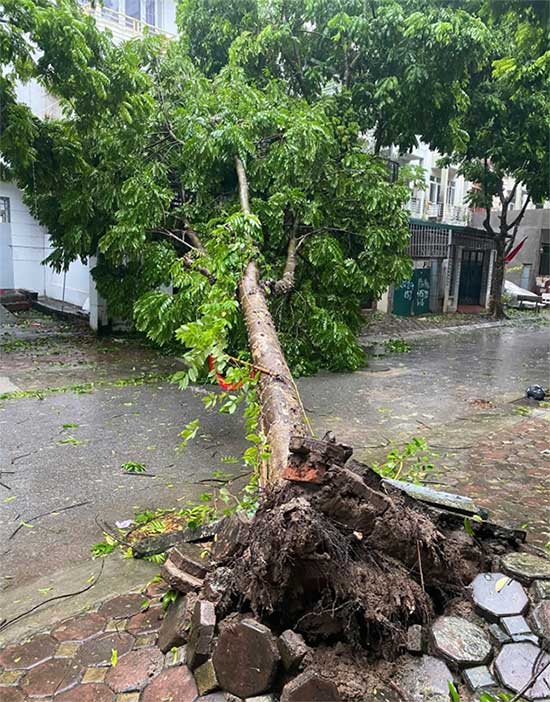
{"points": [[269, 222]]}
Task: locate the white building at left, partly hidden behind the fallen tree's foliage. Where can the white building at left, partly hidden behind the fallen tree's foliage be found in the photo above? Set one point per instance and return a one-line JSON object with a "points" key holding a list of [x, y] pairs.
{"points": [[24, 243]]}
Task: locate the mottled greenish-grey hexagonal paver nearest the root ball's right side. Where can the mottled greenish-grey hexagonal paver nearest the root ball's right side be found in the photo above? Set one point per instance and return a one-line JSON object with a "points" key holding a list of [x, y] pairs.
{"points": [[460, 642]]}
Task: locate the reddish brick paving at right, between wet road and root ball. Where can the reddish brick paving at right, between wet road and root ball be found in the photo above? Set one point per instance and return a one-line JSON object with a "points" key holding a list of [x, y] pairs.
{"points": [[498, 457]]}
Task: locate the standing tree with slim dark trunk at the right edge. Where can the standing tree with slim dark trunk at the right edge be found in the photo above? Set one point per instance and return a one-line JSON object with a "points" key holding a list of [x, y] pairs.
{"points": [[507, 122]]}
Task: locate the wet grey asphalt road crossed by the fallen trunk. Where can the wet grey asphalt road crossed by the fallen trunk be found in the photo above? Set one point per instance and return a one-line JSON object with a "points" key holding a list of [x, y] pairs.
{"points": [[49, 467]]}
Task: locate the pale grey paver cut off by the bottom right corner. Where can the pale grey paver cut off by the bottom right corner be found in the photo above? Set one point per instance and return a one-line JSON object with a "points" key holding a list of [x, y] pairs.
{"points": [[515, 667]]}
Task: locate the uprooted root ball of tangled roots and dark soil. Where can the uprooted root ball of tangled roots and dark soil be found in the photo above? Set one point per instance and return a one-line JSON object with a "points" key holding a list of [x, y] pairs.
{"points": [[346, 561]]}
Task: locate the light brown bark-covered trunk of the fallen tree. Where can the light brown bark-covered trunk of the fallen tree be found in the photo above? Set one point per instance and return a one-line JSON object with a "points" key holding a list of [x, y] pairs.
{"points": [[282, 414]]}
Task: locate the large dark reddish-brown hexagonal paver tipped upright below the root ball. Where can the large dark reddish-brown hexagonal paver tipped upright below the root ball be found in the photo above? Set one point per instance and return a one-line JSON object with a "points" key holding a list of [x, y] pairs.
{"points": [[246, 658]]}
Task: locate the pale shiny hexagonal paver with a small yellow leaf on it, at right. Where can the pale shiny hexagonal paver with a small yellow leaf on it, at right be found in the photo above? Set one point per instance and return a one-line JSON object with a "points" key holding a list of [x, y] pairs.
{"points": [[496, 595]]}
